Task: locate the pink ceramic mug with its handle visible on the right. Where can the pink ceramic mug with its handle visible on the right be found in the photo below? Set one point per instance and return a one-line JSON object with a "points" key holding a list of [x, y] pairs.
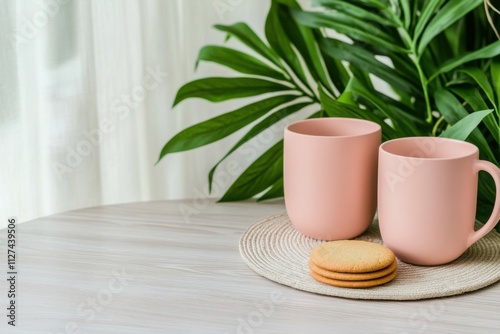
{"points": [[427, 198]]}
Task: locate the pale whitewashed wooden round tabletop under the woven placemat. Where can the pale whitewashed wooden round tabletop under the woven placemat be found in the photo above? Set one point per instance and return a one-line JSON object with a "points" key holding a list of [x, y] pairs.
{"points": [[174, 267]]}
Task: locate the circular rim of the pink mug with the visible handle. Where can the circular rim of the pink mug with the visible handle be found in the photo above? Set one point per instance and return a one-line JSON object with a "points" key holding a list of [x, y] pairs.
{"points": [[474, 149]]}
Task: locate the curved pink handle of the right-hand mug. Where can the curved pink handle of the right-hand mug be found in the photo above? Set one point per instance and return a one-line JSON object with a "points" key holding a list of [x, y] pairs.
{"points": [[494, 171]]}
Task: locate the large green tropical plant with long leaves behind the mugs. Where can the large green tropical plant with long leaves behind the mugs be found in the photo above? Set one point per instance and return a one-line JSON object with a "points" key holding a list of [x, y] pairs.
{"points": [[422, 67]]}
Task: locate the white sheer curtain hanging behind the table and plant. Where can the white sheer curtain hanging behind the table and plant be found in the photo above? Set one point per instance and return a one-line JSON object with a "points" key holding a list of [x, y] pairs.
{"points": [[86, 88]]}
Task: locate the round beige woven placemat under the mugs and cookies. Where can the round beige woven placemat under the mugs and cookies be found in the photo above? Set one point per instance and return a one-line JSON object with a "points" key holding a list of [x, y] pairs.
{"points": [[276, 250]]}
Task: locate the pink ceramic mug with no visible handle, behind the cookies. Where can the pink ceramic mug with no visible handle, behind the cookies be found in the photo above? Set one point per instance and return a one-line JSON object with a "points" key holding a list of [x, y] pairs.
{"points": [[330, 176]]}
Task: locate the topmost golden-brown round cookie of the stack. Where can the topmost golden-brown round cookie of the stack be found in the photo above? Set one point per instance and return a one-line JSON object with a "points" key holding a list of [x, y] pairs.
{"points": [[352, 256]]}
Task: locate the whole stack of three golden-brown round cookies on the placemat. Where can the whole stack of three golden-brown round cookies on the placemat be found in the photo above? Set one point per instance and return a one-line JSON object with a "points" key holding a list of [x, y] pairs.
{"points": [[352, 264]]}
